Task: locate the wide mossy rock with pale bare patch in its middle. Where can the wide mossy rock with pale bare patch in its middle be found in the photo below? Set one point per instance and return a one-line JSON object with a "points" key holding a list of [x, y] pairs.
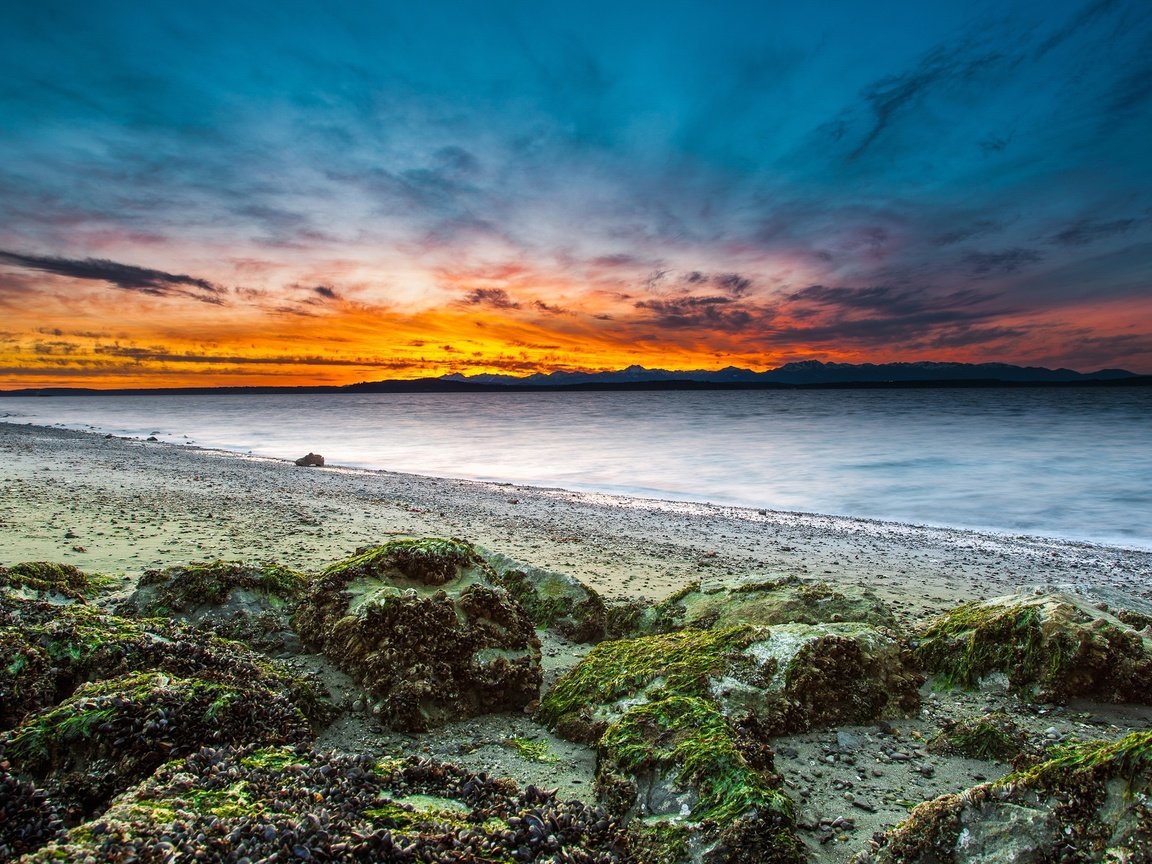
{"points": [[790, 679]]}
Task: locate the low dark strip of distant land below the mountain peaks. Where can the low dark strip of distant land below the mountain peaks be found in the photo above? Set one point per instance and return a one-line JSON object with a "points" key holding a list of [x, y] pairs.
{"points": [[436, 385]]}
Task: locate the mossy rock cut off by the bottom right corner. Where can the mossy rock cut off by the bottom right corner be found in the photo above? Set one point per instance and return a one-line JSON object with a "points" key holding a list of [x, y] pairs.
{"points": [[1090, 804]]}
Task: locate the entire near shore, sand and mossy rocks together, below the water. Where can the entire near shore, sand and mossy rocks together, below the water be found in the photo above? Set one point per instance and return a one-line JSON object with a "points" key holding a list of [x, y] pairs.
{"points": [[215, 658]]}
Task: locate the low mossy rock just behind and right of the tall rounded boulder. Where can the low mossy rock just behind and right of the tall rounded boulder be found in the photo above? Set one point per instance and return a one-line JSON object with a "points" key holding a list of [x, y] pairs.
{"points": [[554, 601]]}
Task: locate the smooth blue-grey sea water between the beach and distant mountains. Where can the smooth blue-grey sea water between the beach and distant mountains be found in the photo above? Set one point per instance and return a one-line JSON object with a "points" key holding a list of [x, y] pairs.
{"points": [[1068, 463]]}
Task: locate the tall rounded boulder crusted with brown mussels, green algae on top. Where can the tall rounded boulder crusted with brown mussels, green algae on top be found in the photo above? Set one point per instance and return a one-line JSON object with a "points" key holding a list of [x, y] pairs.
{"points": [[425, 626]]}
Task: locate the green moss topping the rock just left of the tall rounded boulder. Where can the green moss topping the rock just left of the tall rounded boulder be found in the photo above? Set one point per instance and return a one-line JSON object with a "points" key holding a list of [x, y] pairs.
{"points": [[186, 588]]}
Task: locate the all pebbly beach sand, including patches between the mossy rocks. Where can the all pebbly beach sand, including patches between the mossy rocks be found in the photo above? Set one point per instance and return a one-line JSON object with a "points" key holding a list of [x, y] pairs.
{"points": [[119, 507]]}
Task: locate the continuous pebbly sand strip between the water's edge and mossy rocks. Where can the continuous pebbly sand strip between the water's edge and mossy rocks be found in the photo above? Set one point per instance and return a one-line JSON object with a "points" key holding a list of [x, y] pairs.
{"points": [[131, 505]]}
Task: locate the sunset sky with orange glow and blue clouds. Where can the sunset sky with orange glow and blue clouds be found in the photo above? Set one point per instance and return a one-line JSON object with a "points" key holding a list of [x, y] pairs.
{"points": [[252, 193]]}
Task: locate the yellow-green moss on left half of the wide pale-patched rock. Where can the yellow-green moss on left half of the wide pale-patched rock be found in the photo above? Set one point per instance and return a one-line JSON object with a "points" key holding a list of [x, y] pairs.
{"points": [[679, 663]]}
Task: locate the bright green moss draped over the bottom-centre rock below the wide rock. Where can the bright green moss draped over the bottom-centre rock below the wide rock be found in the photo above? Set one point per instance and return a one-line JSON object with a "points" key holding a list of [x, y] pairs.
{"points": [[691, 738]]}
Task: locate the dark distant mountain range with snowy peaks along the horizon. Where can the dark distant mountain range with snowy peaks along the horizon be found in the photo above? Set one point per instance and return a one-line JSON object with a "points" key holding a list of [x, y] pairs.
{"points": [[804, 375]]}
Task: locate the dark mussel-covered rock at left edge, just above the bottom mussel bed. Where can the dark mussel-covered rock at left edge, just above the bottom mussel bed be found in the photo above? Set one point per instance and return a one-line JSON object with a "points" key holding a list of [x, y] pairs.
{"points": [[111, 734]]}
